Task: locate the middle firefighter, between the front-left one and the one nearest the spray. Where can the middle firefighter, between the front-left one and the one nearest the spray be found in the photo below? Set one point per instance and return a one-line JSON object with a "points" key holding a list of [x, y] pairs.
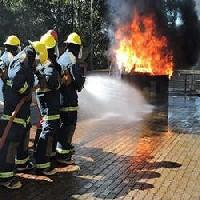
{"points": [[48, 98]]}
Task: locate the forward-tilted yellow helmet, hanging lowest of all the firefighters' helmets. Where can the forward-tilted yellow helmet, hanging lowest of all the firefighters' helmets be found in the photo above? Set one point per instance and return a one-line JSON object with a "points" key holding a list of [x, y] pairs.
{"points": [[41, 50]]}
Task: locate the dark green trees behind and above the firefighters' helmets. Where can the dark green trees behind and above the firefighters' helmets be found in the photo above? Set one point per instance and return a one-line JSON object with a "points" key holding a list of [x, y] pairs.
{"points": [[29, 19]]}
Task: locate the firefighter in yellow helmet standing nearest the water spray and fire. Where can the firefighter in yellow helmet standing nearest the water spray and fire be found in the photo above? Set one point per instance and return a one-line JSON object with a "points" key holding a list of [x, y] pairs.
{"points": [[72, 81]]}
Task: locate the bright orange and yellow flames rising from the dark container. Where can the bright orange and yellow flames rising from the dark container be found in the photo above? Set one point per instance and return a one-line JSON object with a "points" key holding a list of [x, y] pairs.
{"points": [[140, 49]]}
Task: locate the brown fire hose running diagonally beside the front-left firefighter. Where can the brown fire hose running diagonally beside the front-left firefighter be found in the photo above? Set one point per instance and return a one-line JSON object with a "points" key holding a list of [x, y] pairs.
{"points": [[10, 122]]}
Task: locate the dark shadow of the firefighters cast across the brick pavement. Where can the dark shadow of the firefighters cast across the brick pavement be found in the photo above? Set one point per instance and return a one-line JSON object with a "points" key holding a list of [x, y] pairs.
{"points": [[102, 175]]}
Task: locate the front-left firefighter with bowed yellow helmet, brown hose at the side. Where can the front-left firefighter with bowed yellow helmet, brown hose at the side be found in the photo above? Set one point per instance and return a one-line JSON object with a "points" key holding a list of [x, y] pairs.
{"points": [[20, 82]]}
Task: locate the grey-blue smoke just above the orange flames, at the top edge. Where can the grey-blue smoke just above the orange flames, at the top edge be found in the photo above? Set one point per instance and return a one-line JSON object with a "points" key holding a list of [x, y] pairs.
{"points": [[122, 12]]}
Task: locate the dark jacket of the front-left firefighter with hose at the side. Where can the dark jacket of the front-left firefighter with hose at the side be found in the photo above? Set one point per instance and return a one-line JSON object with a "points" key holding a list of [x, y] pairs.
{"points": [[20, 83]]}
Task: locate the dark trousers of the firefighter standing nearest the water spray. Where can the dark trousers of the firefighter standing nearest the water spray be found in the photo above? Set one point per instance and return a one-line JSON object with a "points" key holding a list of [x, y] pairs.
{"points": [[65, 135]]}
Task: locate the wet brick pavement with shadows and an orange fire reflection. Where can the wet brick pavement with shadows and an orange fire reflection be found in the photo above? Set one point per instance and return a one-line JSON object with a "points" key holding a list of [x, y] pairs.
{"points": [[125, 160]]}
